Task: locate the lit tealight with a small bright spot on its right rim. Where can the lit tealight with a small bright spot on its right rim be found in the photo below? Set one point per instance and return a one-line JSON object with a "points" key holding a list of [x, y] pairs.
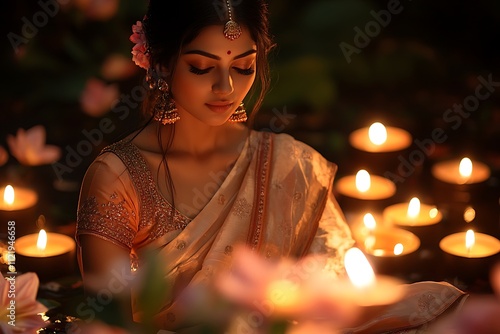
{"points": [[413, 213]]}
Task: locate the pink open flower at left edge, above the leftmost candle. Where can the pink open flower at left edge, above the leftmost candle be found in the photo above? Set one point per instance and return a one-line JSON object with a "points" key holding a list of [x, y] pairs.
{"points": [[29, 148]]}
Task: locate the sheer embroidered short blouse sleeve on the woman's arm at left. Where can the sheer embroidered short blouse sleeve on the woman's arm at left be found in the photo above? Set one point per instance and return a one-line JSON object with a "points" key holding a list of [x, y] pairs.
{"points": [[108, 204]]}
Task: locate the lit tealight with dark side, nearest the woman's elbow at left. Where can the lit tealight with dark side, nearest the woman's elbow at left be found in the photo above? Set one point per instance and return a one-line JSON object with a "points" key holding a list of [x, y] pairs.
{"points": [[50, 255]]}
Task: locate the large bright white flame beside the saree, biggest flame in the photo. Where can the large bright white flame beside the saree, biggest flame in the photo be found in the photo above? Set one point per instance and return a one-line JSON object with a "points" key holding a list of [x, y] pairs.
{"points": [[358, 268]]}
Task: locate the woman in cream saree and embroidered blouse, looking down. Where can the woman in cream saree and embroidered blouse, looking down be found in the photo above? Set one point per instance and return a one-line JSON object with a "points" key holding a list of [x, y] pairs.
{"points": [[195, 182]]}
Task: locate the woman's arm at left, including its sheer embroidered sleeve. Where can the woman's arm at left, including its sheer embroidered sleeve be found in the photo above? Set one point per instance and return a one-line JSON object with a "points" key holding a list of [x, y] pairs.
{"points": [[105, 230]]}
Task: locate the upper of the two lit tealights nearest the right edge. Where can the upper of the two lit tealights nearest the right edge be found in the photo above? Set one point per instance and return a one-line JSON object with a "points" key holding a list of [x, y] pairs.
{"points": [[464, 171]]}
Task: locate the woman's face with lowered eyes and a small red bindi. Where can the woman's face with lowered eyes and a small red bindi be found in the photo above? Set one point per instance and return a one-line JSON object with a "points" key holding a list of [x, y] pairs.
{"points": [[213, 75]]}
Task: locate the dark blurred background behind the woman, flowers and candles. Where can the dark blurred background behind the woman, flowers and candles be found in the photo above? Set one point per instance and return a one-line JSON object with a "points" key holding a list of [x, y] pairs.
{"points": [[428, 58]]}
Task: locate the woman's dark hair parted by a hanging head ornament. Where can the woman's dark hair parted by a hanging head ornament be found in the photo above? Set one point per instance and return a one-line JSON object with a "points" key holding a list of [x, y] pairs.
{"points": [[169, 25]]}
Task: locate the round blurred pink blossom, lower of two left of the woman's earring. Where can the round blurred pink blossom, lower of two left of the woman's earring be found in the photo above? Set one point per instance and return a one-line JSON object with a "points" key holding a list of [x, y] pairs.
{"points": [[97, 98]]}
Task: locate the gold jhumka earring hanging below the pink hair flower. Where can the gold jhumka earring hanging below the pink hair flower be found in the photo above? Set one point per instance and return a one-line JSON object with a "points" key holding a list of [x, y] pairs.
{"points": [[164, 109]]}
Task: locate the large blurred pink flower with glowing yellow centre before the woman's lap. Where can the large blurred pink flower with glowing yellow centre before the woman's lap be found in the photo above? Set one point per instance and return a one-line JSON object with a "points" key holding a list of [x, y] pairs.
{"points": [[290, 290]]}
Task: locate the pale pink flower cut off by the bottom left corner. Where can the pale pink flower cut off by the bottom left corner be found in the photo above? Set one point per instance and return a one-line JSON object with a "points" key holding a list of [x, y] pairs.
{"points": [[19, 310]]}
